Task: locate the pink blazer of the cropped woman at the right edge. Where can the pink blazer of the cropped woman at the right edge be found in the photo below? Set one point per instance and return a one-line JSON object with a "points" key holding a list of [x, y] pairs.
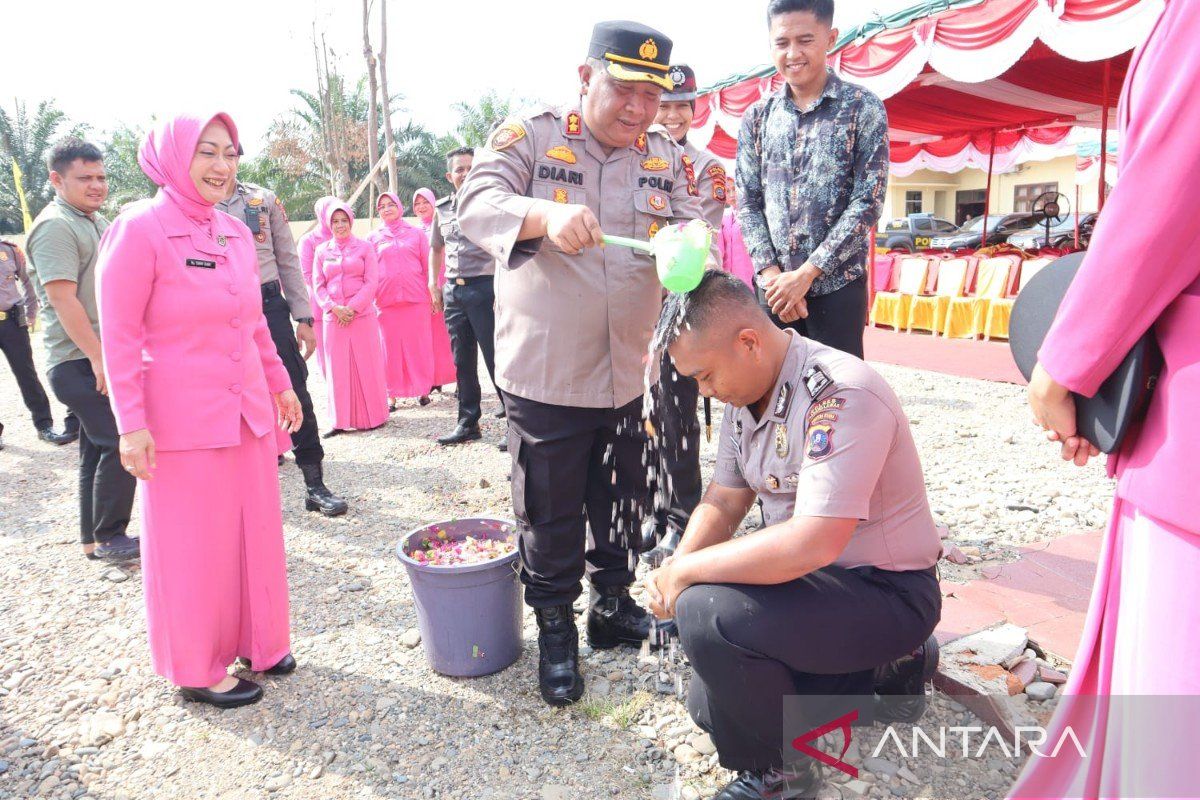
{"points": [[1143, 270]]}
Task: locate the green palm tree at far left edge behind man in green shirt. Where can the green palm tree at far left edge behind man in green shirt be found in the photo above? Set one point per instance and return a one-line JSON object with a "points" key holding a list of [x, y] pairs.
{"points": [[28, 140]]}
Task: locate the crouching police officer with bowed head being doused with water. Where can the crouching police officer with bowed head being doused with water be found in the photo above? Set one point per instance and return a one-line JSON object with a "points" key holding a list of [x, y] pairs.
{"points": [[838, 594]]}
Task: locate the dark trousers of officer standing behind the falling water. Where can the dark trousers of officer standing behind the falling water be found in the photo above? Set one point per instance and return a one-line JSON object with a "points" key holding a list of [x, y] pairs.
{"points": [[677, 483]]}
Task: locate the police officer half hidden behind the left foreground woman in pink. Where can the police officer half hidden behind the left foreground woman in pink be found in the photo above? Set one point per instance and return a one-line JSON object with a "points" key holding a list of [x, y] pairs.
{"points": [[286, 298]]}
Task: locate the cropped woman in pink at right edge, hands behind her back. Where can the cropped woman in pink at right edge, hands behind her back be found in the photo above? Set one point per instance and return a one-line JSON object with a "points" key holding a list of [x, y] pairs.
{"points": [[1142, 273]]}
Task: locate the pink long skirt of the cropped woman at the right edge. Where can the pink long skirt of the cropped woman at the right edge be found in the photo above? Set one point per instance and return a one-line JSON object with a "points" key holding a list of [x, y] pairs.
{"points": [[1132, 699]]}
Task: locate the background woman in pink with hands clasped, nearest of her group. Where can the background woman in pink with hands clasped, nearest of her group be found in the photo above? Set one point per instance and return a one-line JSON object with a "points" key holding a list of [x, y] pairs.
{"points": [[346, 278]]}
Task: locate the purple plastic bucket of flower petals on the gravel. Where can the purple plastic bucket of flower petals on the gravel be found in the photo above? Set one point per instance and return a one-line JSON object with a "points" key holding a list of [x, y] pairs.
{"points": [[470, 616]]}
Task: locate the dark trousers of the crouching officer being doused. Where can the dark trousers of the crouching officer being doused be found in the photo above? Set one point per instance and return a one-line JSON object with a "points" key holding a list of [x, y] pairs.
{"points": [[821, 635]]}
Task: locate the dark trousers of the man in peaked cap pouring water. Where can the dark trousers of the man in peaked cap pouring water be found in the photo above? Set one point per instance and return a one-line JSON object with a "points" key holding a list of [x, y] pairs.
{"points": [[577, 472]]}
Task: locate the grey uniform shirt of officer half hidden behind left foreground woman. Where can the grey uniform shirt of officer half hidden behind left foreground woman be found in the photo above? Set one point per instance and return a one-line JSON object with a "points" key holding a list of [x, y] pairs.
{"points": [[277, 249]]}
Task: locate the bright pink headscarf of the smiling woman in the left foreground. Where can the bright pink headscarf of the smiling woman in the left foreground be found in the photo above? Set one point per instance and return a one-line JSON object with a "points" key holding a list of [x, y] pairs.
{"points": [[166, 158]]}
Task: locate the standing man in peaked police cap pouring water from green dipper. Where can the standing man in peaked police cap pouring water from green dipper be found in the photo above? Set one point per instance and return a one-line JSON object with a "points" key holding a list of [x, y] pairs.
{"points": [[574, 322]]}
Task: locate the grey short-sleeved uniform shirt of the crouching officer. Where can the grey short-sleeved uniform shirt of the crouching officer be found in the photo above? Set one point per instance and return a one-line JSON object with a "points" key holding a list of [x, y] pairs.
{"points": [[835, 443]]}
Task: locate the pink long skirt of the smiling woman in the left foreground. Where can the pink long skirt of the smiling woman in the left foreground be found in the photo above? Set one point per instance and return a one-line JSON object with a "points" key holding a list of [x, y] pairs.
{"points": [[215, 578]]}
